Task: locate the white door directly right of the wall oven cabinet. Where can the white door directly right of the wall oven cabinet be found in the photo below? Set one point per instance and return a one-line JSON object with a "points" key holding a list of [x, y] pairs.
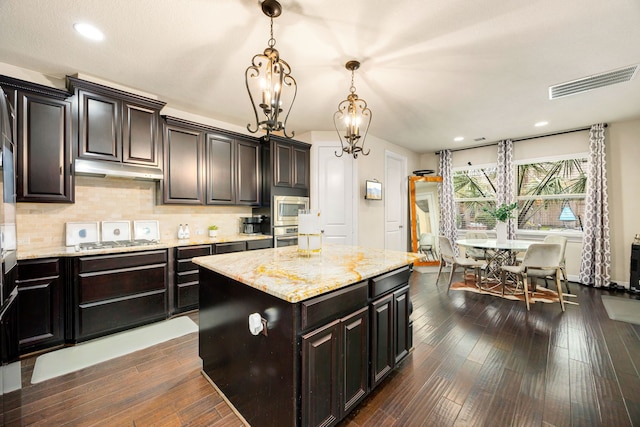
{"points": [[335, 194]]}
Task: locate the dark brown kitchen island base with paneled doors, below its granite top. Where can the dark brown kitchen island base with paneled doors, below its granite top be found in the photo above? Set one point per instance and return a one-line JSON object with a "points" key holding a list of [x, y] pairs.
{"points": [[316, 362]]}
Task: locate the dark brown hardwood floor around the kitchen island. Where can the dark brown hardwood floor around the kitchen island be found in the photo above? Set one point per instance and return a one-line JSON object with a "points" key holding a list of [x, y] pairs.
{"points": [[478, 361]]}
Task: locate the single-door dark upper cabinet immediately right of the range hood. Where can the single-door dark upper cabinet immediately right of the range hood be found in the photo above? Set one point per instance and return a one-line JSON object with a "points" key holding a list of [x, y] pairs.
{"points": [[183, 162]]}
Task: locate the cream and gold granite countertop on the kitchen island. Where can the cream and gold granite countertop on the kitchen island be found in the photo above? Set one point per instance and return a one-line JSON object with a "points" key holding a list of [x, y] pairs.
{"points": [[291, 276]]}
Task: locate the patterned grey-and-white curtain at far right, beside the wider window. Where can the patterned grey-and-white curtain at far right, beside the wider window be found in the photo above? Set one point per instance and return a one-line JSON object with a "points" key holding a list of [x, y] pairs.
{"points": [[595, 266]]}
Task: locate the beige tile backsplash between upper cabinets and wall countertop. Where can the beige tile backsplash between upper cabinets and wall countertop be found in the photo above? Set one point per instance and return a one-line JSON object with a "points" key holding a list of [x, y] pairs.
{"points": [[100, 199]]}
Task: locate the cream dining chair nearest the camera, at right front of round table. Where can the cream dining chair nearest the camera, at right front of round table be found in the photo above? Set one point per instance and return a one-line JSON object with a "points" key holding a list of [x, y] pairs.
{"points": [[541, 260]]}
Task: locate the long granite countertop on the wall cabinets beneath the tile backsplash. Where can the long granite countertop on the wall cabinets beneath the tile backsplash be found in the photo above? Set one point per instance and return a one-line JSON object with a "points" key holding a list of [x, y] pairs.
{"points": [[32, 252]]}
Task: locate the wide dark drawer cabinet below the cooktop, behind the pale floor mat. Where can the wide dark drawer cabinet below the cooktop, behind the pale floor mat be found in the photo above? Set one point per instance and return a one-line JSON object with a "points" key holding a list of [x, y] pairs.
{"points": [[119, 291]]}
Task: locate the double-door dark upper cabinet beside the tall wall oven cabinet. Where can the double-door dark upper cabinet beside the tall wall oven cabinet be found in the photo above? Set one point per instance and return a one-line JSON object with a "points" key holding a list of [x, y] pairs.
{"points": [[233, 170]]}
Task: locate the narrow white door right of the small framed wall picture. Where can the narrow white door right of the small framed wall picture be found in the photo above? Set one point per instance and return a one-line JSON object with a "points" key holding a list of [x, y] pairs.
{"points": [[395, 196]]}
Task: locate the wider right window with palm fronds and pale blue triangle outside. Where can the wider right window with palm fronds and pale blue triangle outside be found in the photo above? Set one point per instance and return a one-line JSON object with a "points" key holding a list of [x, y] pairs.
{"points": [[551, 194]]}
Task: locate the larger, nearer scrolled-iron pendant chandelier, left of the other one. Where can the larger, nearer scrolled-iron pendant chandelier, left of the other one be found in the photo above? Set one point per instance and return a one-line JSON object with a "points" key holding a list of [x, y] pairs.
{"points": [[271, 87]]}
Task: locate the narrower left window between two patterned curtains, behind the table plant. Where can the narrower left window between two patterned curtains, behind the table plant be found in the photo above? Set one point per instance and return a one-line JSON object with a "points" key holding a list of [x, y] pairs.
{"points": [[475, 189]]}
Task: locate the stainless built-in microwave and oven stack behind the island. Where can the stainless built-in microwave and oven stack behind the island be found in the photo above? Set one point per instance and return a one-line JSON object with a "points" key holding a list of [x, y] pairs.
{"points": [[285, 219]]}
